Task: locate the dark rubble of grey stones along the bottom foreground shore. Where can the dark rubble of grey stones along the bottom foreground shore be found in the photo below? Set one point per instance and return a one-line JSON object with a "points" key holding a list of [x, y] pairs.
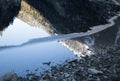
{"points": [[98, 67]]}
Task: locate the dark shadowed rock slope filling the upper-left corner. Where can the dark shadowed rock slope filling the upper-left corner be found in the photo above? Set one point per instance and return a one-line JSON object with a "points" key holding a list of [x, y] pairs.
{"points": [[8, 10]]}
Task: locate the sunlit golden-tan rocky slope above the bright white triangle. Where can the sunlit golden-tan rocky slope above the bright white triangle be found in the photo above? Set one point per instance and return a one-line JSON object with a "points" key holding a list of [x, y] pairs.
{"points": [[33, 17]]}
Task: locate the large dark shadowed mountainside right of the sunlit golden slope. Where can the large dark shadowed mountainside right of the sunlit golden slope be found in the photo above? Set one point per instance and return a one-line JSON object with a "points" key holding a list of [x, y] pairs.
{"points": [[71, 16]]}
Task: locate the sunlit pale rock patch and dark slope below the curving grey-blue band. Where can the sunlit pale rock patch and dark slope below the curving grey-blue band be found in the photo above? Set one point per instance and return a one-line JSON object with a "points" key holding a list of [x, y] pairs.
{"points": [[98, 42]]}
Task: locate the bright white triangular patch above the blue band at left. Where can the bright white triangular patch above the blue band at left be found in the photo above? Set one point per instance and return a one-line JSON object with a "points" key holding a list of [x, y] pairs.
{"points": [[20, 32]]}
